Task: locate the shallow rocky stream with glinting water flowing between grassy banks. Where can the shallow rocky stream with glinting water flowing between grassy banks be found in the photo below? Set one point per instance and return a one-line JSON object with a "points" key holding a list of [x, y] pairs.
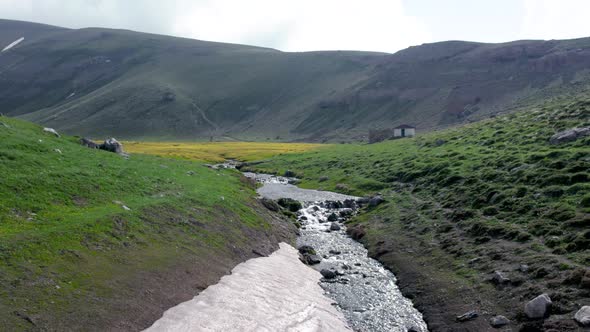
{"points": [[363, 290]]}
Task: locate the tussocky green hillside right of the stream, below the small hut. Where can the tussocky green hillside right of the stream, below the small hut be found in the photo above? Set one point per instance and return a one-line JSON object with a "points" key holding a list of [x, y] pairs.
{"points": [[467, 201]]}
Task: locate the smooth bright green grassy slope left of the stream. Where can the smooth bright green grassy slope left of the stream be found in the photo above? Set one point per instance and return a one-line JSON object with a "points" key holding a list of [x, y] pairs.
{"points": [[71, 255]]}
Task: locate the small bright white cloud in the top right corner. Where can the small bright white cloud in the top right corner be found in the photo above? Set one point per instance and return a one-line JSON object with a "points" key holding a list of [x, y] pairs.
{"points": [[555, 19]]}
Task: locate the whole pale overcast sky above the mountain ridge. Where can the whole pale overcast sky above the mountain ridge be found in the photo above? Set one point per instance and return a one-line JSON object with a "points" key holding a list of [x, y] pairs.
{"points": [[304, 25]]}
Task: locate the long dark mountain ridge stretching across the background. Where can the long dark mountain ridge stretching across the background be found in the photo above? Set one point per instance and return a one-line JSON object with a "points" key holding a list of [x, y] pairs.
{"points": [[98, 82]]}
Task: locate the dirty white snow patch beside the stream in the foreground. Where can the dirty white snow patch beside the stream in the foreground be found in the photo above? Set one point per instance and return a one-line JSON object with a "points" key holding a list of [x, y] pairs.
{"points": [[275, 293]]}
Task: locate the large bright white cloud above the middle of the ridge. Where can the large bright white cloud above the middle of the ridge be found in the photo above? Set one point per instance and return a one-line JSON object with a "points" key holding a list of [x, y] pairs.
{"points": [[306, 25]]}
